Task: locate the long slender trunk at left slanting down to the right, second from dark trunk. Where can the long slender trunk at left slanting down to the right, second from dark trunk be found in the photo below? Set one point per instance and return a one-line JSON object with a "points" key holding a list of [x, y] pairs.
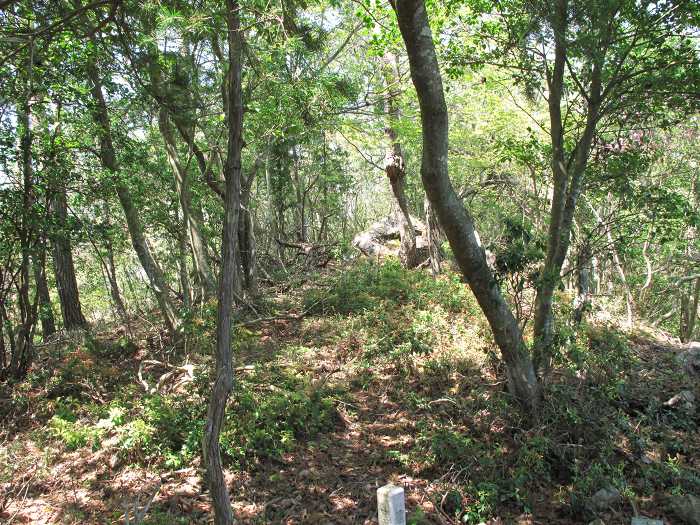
{"points": [[136, 230]]}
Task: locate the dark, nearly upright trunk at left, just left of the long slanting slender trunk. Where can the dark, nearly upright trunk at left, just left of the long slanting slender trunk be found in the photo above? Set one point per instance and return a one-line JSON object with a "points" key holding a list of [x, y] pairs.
{"points": [[66, 282]]}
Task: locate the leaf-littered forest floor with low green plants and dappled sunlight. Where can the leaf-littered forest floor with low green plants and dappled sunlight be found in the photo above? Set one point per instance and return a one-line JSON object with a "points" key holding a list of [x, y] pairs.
{"points": [[346, 381]]}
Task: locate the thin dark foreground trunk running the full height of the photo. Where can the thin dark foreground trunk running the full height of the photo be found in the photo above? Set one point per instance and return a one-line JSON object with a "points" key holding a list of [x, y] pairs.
{"points": [[223, 513]]}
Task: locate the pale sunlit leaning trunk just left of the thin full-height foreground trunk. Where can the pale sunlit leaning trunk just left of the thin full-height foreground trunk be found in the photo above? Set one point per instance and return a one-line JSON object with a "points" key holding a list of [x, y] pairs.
{"points": [[193, 225]]}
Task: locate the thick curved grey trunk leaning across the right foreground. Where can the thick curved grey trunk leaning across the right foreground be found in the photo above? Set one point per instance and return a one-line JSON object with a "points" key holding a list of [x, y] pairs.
{"points": [[454, 218]]}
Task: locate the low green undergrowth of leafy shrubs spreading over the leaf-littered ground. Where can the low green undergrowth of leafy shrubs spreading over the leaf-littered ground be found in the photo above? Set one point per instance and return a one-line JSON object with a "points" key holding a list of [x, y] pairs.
{"points": [[420, 342]]}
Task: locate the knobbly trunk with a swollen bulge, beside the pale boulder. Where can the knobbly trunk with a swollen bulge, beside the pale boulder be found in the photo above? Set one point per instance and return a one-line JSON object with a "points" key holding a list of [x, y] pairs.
{"points": [[395, 165]]}
